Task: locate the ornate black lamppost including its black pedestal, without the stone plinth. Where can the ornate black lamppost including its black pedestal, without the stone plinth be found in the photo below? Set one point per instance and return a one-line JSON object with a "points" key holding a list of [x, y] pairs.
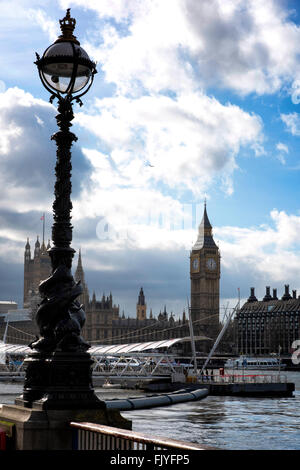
{"points": [[58, 373]]}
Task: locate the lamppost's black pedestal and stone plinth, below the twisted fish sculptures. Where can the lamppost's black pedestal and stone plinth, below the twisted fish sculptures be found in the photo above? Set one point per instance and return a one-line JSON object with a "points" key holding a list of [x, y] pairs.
{"points": [[57, 390]]}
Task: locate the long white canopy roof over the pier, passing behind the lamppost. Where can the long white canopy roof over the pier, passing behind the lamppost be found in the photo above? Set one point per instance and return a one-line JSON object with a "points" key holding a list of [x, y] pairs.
{"points": [[100, 350]]}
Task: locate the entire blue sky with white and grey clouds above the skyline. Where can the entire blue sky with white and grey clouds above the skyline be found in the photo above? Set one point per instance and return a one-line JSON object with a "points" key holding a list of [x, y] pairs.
{"points": [[192, 100]]}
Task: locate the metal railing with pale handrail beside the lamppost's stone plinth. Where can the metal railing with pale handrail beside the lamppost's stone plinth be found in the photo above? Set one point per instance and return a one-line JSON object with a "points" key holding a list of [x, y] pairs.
{"points": [[90, 436]]}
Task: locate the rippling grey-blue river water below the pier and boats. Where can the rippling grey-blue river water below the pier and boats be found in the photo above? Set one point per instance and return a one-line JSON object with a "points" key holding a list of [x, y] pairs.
{"points": [[221, 422]]}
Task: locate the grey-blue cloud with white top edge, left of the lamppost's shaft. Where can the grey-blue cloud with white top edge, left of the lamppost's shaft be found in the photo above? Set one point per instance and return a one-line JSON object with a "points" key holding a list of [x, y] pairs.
{"points": [[27, 155]]}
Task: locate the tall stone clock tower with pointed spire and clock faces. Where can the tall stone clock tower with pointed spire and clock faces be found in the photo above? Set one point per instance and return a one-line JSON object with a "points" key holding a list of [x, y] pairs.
{"points": [[205, 281]]}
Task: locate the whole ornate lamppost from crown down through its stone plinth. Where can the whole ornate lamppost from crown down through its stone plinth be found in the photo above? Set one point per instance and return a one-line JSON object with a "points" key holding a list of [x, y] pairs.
{"points": [[58, 381]]}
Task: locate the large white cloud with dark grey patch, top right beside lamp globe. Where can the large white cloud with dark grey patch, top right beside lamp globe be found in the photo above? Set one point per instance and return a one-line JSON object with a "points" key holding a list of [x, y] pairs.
{"points": [[246, 45]]}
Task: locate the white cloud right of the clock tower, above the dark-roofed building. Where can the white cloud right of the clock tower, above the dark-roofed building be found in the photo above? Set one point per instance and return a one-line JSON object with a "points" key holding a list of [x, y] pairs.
{"points": [[271, 253]]}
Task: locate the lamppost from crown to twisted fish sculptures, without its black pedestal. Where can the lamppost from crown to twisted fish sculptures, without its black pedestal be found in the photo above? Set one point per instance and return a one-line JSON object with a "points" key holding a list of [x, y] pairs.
{"points": [[67, 73]]}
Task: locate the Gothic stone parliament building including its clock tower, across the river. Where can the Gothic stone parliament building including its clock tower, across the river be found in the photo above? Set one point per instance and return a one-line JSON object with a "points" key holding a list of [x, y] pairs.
{"points": [[104, 322]]}
